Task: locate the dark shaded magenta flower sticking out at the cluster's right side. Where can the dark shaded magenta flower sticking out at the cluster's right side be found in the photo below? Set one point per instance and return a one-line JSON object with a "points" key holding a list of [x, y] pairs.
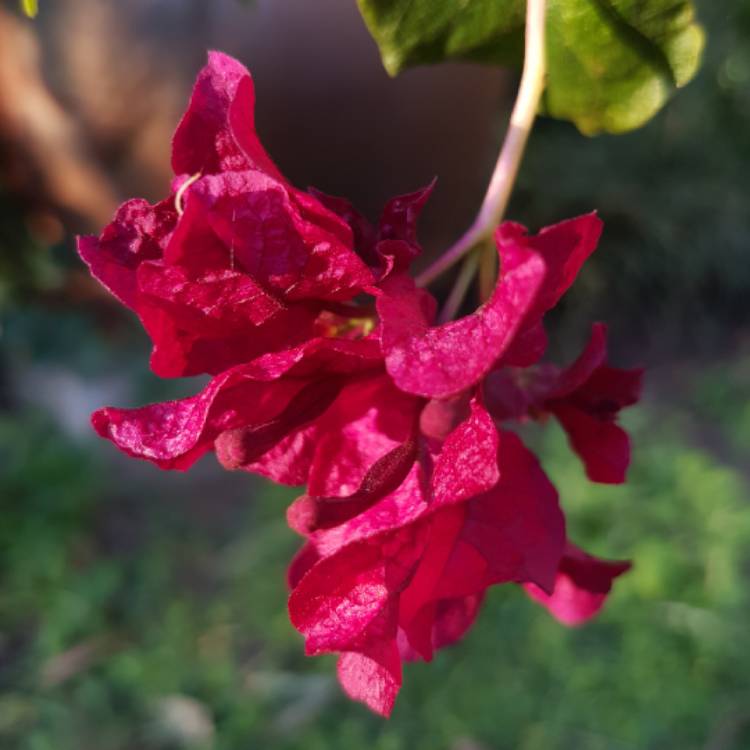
{"points": [[585, 397]]}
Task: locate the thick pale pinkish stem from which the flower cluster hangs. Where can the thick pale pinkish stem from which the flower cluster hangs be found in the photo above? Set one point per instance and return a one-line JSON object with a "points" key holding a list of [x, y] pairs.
{"points": [[521, 121]]}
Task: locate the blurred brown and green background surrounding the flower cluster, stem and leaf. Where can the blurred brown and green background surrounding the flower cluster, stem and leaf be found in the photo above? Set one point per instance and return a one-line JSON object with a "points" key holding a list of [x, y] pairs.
{"points": [[145, 610]]}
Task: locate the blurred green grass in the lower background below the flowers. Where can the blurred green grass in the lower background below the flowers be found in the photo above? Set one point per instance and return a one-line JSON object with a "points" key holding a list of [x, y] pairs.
{"points": [[136, 620]]}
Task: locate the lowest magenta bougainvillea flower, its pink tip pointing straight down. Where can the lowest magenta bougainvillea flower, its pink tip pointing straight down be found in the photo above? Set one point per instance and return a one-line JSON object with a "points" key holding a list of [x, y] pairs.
{"points": [[372, 594]]}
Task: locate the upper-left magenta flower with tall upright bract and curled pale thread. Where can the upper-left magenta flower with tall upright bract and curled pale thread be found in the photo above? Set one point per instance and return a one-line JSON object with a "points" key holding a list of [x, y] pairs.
{"points": [[236, 262]]}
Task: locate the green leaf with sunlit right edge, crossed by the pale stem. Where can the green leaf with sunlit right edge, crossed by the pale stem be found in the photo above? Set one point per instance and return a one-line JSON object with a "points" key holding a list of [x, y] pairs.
{"points": [[612, 64]]}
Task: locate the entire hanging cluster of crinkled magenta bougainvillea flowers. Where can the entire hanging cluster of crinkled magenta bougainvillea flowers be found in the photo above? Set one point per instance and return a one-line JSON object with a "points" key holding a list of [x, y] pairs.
{"points": [[328, 370]]}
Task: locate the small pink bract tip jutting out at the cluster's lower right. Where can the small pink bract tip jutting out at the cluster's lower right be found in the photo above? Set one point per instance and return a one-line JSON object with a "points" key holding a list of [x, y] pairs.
{"points": [[581, 586]]}
